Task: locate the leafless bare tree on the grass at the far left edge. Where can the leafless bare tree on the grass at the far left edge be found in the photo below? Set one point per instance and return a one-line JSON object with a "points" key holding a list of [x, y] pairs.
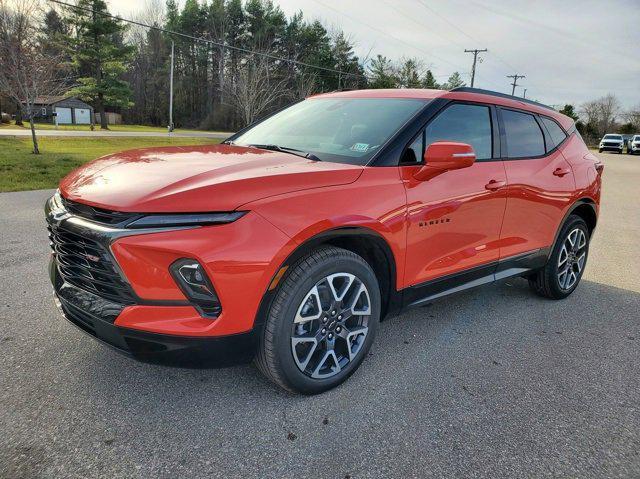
{"points": [[27, 72]]}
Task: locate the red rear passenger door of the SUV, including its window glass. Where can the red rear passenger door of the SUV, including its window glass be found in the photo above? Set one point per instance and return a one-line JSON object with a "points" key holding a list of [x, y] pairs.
{"points": [[541, 182]]}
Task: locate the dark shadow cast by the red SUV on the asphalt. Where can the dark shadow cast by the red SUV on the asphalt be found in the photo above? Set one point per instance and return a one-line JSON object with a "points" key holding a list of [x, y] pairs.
{"points": [[405, 343]]}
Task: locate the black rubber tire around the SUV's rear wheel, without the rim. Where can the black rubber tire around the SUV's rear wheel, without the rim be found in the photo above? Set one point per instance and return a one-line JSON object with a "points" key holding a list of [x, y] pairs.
{"points": [[545, 282]]}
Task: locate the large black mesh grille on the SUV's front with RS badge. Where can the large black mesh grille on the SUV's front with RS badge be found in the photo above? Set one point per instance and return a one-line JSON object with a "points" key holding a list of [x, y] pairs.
{"points": [[88, 265]]}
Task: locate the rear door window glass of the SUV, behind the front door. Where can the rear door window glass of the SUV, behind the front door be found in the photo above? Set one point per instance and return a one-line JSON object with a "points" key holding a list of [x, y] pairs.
{"points": [[524, 136]]}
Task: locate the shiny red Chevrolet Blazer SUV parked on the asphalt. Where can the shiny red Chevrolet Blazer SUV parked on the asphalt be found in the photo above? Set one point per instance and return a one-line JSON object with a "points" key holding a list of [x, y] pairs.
{"points": [[289, 242]]}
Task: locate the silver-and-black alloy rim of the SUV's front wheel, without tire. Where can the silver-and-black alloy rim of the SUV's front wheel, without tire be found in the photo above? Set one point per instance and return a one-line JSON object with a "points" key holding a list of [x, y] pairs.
{"points": [[331, 325]]}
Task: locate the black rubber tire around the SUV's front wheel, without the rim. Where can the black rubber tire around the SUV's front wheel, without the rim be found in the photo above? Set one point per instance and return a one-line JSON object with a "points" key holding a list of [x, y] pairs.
{"points": [[275, 358]]}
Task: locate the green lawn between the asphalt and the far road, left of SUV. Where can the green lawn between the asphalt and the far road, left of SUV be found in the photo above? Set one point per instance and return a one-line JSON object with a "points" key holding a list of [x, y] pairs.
{"points": [[22, 170]]}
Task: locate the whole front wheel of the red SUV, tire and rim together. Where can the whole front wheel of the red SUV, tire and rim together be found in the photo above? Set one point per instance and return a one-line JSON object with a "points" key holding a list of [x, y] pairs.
{"points": [[321, 323]]}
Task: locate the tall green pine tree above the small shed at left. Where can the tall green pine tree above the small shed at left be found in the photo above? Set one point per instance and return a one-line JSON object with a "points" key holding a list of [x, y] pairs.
{"points": [[100, 57]]}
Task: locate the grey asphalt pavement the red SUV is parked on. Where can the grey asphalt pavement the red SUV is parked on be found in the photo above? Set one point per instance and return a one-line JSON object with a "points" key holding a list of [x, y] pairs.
{"points": [[494, 382]]}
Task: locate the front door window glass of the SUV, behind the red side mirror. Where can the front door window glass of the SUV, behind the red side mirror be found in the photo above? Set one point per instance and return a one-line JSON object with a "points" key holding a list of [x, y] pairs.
{"points": [[469, 124]]}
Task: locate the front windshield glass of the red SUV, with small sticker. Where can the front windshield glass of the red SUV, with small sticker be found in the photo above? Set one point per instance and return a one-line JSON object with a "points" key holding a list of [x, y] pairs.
{"points": [[344, 130]]}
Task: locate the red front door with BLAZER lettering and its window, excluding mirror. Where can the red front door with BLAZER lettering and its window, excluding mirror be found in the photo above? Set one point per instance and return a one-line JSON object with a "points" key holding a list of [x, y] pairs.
{"points": [[454, 219]]}
